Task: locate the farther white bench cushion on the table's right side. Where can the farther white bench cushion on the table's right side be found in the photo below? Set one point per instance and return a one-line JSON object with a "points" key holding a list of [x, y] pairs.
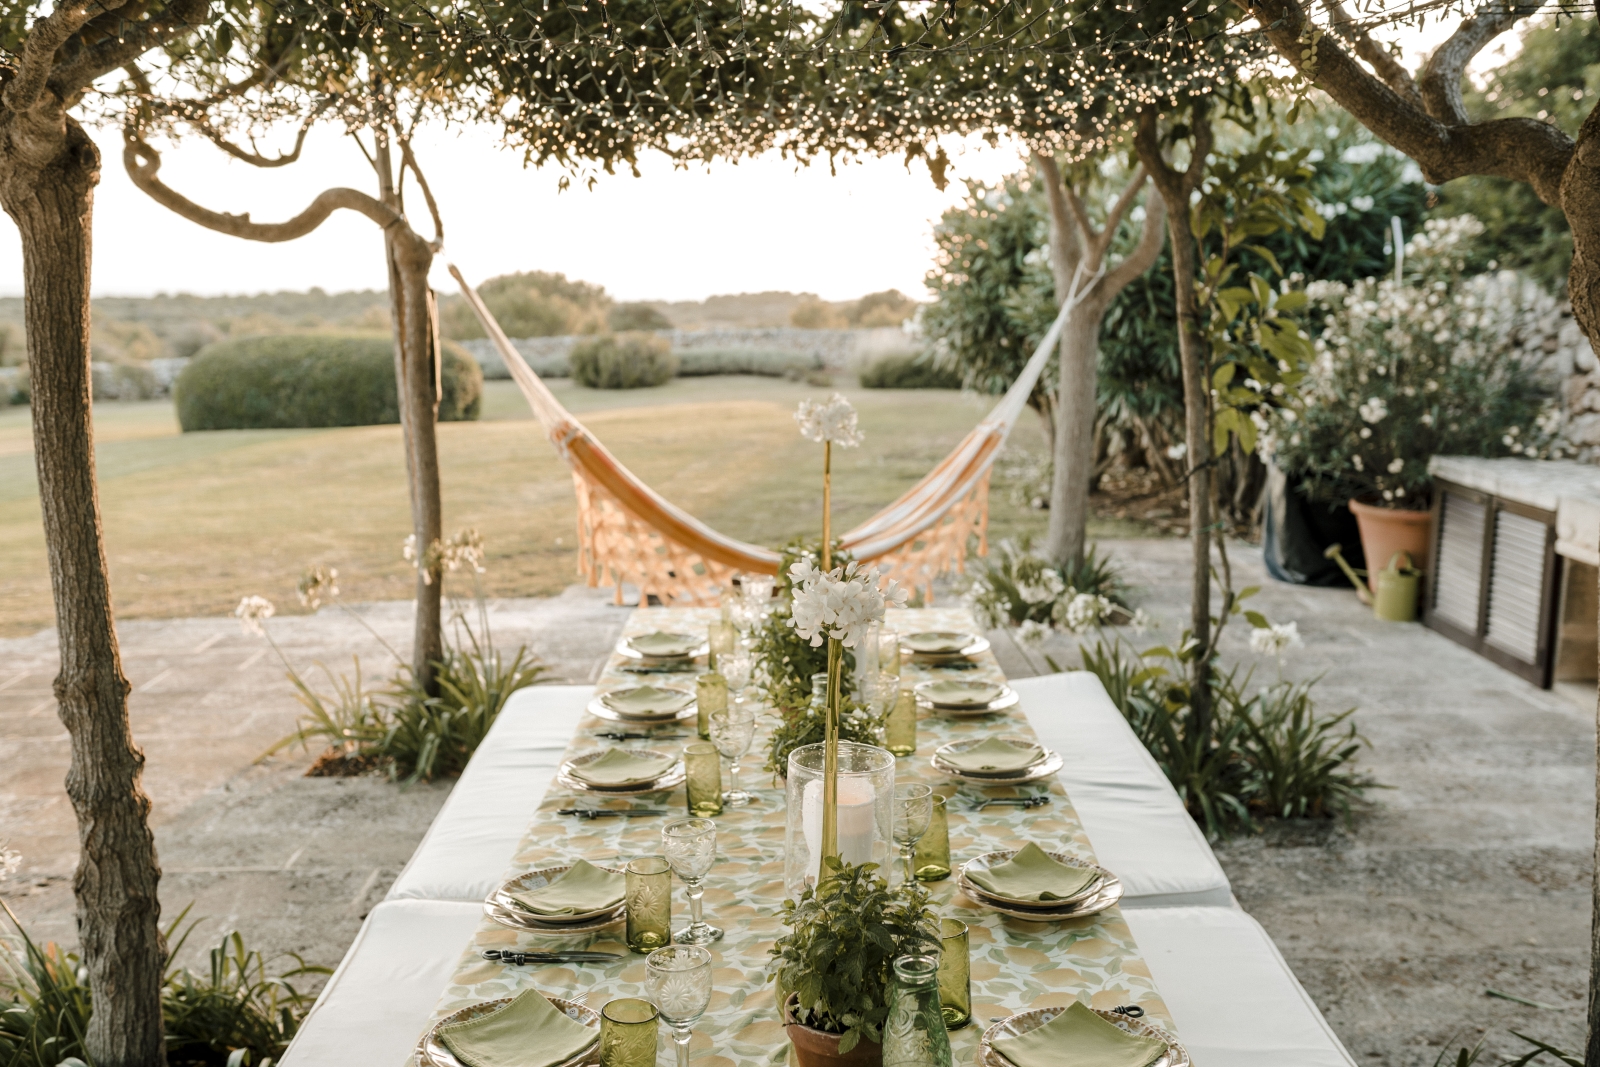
{"points": [[1132, 813]]}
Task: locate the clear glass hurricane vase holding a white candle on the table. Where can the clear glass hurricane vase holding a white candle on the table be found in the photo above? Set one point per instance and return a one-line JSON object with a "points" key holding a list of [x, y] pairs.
{"points": [[866, 812]]}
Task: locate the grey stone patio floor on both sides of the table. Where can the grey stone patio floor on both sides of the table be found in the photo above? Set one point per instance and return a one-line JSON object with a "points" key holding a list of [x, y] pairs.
{"points": [[1471, 871]]}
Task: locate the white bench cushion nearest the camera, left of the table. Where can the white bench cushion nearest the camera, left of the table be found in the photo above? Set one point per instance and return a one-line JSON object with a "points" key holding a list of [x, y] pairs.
{"points": [[375, 1007]]}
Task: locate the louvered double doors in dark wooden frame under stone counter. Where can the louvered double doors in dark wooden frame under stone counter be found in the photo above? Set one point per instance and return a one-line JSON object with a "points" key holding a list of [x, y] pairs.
{"points": [[1495, 580]]}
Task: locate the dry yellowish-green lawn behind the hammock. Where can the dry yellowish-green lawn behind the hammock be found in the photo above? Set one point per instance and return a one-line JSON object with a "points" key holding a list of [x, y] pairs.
{"points": [[198, 521]]}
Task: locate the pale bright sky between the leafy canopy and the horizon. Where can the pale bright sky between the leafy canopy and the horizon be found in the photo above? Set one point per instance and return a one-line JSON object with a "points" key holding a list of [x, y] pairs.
{"points": [[764, 225]]}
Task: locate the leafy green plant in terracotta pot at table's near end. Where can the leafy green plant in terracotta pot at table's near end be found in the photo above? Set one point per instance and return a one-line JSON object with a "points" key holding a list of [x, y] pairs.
{"points": [[836, 964]]}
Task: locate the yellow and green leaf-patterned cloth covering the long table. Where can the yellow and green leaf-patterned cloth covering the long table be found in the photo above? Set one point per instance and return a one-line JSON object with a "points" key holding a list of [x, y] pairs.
{"points": [[1015, 965]]}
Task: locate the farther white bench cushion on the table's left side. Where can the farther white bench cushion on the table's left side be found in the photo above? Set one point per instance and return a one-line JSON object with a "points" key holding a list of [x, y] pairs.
{"points": [[476, 834]]}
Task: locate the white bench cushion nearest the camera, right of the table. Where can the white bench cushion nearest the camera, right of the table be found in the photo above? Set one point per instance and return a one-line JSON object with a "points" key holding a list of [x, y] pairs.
{"points": [[1234, 999]]}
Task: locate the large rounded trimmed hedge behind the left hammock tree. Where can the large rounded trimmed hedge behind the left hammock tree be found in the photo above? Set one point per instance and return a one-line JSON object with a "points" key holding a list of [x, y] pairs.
{"points": [[311, 380]]}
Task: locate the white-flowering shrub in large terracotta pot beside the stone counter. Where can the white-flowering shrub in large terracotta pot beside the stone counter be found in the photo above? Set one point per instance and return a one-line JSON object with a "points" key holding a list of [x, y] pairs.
{"points": [[1407, 372]]}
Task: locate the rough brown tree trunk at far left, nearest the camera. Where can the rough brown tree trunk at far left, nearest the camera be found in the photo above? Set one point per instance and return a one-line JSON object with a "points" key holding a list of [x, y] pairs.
{"points": [[118, 877]]}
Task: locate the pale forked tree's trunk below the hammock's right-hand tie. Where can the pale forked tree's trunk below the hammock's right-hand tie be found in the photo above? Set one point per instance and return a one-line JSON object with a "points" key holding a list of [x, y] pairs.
{"points": [[1074, 458]]}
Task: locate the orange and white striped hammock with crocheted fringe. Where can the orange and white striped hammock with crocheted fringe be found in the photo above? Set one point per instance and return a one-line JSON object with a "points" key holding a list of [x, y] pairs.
{"points": [[630, 533]]}
